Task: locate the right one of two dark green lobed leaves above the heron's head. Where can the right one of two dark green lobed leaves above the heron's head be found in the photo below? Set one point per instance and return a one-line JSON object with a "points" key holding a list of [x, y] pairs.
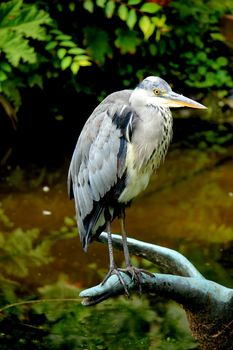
{"points": [[127, 41]]}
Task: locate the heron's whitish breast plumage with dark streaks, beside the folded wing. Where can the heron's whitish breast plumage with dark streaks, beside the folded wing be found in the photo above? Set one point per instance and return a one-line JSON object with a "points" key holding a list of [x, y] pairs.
{"points": [[146, 151]]}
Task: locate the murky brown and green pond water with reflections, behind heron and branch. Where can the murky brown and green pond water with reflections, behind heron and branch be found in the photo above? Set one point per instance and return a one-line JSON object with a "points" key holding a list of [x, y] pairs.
{"points": [[188, 207]]}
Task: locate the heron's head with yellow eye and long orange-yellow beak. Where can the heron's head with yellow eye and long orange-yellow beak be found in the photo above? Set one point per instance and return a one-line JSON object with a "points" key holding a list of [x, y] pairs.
{"points": [[156, 91]]}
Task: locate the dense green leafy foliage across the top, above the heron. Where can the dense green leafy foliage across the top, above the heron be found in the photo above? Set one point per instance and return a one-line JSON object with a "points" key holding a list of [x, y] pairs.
{"points": [[74, 43]]}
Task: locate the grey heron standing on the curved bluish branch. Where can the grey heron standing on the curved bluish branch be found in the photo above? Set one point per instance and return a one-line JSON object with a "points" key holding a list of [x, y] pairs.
{"points": [[122, 143]]}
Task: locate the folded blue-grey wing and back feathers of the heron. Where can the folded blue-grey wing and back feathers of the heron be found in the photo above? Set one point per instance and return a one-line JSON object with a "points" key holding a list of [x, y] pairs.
{"points": [[95, 165]]}
